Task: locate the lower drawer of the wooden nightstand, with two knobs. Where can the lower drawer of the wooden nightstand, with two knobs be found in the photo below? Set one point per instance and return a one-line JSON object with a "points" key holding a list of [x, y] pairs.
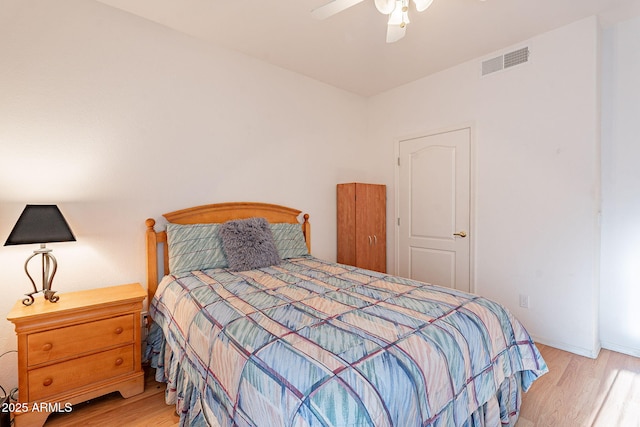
{"points": [[62, 377]]}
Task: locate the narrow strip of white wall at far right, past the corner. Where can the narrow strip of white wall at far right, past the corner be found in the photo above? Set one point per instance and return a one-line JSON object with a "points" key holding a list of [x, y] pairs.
{"points": [[620, 282]]}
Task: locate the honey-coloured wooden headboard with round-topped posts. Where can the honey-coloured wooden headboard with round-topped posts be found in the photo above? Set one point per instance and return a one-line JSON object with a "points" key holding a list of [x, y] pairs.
{"points": [[216, 213]]}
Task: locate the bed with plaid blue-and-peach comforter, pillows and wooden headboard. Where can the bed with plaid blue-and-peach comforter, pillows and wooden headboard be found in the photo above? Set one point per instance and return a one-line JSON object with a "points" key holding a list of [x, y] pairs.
{"points": [[294, 340]]}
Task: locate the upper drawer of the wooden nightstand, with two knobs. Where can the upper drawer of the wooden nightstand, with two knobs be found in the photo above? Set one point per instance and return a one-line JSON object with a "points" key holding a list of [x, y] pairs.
{"points": [[79, 339]]}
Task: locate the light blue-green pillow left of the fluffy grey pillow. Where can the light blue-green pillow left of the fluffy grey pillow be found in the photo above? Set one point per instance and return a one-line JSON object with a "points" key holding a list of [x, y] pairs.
{"points": [[194, 247]]}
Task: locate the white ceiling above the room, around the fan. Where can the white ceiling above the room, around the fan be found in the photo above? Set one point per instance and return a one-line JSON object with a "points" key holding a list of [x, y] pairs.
{"points": [[349, 50]]}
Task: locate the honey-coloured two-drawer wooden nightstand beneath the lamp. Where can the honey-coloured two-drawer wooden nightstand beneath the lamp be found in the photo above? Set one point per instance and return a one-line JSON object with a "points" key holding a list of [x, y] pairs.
{"points": [[83, 346]]}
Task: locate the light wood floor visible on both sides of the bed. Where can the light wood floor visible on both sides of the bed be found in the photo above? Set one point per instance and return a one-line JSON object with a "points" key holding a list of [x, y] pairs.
{"points": [[577, 391]]}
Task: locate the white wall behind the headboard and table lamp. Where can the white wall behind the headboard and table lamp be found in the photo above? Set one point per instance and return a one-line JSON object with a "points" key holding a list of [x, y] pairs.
{"points": [[117, 119]]}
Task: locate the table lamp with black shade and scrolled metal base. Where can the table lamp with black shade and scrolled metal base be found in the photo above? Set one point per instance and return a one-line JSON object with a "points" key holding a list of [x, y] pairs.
{"points": [[41, 224]]}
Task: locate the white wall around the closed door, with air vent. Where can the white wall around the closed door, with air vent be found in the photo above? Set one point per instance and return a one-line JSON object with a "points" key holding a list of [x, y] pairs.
{"points": [[536, 142]]}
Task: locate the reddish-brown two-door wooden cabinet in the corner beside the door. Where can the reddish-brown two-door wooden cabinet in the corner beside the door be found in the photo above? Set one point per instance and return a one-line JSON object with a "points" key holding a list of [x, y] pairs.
{"points": [[362, 229]]}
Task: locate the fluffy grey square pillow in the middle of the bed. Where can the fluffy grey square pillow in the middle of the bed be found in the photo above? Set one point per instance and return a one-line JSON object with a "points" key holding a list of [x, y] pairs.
{"points": [[248, 244]]}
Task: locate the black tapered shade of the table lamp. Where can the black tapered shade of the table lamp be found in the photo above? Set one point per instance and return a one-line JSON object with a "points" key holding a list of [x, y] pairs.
{"points": [[40, 224]]}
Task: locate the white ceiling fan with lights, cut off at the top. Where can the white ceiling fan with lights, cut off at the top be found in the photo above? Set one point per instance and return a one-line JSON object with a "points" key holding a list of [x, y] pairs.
{"points": [[398, 11]]}
